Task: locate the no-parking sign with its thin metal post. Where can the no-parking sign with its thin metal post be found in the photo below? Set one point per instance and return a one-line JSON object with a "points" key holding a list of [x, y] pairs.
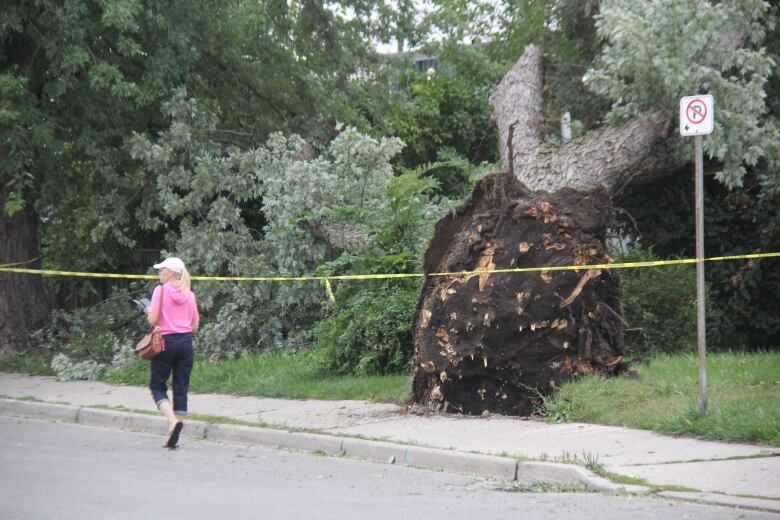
{"points": [[696, 118]]}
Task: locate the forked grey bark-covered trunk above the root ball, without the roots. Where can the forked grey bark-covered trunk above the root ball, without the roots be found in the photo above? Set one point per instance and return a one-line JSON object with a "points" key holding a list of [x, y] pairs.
{"points": [[612, 157]]}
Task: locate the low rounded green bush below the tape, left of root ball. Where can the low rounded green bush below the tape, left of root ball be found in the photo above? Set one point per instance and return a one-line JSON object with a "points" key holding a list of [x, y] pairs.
{"points": [[372, 333]]}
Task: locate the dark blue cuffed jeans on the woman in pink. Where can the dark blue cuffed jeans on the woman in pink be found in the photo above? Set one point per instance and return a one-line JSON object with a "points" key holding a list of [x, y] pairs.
{"points": [[177, 358]]}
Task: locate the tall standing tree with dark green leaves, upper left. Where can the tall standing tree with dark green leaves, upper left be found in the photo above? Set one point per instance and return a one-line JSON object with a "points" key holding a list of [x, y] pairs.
{"points": [[78, 77]]}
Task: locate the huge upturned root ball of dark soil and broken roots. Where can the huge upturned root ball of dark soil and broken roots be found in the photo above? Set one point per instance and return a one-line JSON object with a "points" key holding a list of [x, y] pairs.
{"points": [[499, 342]]}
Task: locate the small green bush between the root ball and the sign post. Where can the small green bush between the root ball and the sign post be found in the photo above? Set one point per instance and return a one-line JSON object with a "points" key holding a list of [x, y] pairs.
{"points": [[659, 304]]}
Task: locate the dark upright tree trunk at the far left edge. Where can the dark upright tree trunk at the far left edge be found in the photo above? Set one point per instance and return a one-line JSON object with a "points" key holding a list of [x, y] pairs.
{"points": [[22, 300]]}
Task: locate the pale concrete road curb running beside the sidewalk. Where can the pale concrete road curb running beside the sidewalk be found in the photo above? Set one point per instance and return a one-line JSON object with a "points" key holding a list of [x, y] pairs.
{"points": [[489, 466]]}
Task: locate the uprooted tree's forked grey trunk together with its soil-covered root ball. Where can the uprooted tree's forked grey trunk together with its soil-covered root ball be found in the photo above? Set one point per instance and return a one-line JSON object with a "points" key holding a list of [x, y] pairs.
{"points": [[499, 342]]}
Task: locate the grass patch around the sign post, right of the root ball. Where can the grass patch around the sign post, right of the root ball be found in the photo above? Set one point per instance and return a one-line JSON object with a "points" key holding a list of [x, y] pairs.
{"points": [[744, 398]]}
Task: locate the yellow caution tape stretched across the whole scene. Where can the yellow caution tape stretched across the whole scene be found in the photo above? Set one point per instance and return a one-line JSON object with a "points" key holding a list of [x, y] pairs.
{"points": [[326, 279]]}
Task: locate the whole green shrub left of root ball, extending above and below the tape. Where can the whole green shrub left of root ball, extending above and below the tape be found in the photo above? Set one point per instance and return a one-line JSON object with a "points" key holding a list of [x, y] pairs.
{"points": [[369, 330]]}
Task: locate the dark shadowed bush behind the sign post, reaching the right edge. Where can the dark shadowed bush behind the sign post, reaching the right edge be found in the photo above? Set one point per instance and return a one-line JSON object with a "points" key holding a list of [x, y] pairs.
{"points": [[736, 222]]}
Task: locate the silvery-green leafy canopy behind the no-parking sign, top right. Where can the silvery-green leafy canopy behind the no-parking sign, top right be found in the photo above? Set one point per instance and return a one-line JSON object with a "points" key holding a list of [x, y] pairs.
{"points": [[657, 51]]}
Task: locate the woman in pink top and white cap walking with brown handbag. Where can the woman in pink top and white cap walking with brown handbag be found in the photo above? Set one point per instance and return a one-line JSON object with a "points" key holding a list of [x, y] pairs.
{"points": [[175, 311]]}
